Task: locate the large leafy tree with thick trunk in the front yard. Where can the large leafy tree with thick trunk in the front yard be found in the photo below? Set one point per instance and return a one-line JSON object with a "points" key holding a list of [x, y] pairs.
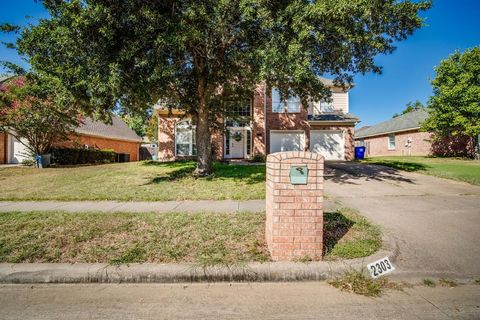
{"points": [[196, 54]]}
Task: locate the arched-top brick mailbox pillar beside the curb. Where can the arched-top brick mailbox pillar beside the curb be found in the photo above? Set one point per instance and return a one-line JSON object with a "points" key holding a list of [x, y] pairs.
{"points": [[294, 224]]}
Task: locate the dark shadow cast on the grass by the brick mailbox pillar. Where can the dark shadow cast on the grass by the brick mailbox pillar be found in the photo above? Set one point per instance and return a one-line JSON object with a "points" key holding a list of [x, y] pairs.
{"points": [[335, 227]]}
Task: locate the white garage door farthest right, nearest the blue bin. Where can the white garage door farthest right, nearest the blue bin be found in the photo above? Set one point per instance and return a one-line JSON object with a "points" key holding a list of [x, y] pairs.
{"points": [[328, 143]]}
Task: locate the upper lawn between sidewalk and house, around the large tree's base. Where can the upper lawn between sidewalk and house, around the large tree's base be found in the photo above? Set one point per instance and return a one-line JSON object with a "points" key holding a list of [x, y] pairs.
{"points": [[148, 181]]}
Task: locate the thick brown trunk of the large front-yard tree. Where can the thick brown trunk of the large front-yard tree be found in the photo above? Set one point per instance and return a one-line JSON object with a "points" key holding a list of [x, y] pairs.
{"points": [[203, 139]]}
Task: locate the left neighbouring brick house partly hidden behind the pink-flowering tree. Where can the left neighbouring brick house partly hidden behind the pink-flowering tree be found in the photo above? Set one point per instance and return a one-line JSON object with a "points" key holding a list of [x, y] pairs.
{"points": [[92, 134]]}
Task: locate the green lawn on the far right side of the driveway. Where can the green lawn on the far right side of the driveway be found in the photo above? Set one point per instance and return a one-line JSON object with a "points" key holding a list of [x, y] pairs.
{"points": [[450, 168]]}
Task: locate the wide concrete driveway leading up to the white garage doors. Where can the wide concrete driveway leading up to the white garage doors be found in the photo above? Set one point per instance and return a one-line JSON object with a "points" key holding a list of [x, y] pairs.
{"points": [[435, 222]]}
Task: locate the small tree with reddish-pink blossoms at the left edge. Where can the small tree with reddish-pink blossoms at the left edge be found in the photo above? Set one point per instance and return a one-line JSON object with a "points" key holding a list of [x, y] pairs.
{"points": [[37, 111]]}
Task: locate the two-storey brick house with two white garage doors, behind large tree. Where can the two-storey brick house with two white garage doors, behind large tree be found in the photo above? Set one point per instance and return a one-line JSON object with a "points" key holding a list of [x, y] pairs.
{"points": [[269, 125]]}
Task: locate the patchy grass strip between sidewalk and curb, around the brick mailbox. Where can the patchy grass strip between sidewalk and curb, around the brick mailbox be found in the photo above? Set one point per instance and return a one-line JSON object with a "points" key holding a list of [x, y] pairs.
{"points": [[202, 239]]}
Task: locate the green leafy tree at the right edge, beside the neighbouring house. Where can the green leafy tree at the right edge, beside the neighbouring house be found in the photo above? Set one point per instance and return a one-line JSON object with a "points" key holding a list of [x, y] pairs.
{"points": [[455, 104]]}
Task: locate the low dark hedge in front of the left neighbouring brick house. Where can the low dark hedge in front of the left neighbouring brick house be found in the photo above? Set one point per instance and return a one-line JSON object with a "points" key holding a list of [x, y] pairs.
{"points": [[72, 156]]}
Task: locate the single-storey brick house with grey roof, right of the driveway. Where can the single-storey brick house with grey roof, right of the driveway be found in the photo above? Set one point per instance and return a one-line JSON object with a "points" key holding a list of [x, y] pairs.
{"points": [[395, 137]]}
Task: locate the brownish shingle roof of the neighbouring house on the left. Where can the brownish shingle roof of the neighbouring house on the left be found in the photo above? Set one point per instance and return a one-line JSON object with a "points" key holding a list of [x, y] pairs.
{"points": [[117, 130]]}
